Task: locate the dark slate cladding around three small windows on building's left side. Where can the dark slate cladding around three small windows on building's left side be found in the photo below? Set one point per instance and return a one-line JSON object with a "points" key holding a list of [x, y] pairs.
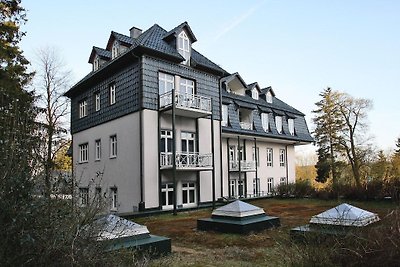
{"points": [[127, 99]]}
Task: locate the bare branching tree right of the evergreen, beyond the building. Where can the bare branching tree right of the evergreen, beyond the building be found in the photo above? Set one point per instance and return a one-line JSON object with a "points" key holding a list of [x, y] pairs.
{"points": [[353, 139]]}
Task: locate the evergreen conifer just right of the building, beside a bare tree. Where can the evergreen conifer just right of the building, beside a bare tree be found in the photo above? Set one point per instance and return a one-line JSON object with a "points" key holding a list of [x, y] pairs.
{"points": [[328, 124]]}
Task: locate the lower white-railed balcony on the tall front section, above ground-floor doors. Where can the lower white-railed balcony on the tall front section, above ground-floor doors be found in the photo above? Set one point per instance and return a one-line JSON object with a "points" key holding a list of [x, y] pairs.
{"points": [[186, 161]]}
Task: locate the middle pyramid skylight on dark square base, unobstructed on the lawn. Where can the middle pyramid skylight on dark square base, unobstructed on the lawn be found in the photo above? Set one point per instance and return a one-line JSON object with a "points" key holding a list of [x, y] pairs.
{"points": [[238, 217]]}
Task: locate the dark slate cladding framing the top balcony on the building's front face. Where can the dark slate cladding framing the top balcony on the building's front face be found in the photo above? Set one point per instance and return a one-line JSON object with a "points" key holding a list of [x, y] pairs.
{"points": [[206, 84]]}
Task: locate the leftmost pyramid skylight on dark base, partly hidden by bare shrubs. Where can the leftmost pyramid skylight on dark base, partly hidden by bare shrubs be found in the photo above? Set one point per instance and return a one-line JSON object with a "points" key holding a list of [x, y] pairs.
{"points": [[121, 233]]}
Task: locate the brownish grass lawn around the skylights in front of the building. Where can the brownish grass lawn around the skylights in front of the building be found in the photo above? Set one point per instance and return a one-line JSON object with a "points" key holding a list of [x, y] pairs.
{"points": [[198, 248]]}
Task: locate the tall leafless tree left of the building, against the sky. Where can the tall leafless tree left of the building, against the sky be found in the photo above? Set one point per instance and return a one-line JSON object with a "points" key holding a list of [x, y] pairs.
{"points": [[52, 80]]}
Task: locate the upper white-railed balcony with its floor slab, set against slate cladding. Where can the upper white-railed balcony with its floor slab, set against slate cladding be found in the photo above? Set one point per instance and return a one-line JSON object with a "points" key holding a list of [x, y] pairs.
{"points": [[188, 105]]}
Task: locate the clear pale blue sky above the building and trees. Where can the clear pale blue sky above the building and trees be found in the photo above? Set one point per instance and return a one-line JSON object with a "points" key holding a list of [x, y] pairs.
{"points": [[297, 47]]}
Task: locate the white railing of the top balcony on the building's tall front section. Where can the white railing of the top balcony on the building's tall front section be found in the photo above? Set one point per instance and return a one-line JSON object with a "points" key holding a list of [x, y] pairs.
{"points": [[187, 101]]}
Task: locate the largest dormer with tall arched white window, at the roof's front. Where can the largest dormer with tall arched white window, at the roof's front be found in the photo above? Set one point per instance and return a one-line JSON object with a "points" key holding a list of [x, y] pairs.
{"points": [[182, 38]]}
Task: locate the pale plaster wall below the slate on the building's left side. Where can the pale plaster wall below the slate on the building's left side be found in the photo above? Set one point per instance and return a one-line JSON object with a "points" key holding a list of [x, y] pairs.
{"points": [[121, 172]]}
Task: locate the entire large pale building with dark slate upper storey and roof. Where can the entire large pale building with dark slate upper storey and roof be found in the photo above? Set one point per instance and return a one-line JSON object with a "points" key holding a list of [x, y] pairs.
{"points": [[156, 125]]}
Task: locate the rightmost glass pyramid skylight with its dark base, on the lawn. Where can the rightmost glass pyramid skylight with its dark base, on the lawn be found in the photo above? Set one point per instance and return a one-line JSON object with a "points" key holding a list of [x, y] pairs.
{"points": [[337, 221]]}
